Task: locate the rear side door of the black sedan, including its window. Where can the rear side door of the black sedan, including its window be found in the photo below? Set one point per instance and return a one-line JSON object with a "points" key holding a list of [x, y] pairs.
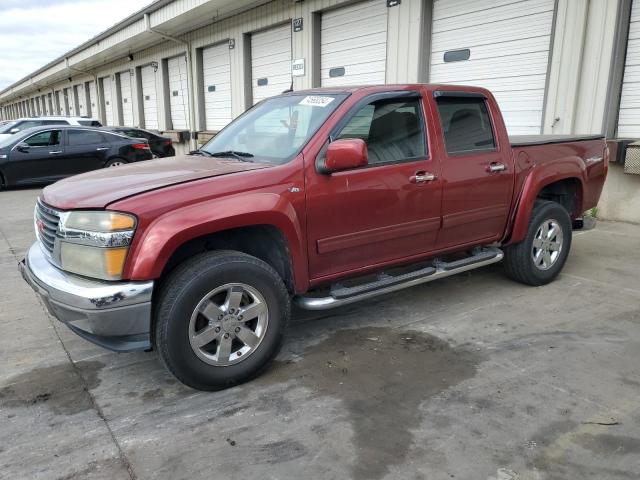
{"points": [[85, 150]]}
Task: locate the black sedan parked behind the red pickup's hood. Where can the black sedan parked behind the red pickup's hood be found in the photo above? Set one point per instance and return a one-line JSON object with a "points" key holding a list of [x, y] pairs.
{"points": [[47, 154]]}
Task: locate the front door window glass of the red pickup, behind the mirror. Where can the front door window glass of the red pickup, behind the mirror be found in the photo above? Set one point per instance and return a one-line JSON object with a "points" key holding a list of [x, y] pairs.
{"points": [[392, 129]]}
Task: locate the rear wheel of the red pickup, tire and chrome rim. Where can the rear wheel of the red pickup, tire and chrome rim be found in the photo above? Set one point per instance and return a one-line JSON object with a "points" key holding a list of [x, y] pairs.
{"points": [[541, 263]]}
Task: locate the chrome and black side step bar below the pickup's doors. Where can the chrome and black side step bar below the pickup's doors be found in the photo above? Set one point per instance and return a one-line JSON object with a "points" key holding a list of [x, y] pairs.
{"points": [[339, 296]]}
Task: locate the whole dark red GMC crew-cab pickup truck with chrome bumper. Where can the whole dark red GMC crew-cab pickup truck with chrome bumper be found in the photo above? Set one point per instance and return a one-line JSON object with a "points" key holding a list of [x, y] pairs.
{"points": [[321, 197]]}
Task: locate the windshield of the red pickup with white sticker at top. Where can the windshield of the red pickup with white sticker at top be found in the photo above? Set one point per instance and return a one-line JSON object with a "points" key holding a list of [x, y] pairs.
{"points": [[275, 130]]}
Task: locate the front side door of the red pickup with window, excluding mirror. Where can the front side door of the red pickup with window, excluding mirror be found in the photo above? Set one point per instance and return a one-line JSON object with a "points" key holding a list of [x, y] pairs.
{"points": [[382, 213]]}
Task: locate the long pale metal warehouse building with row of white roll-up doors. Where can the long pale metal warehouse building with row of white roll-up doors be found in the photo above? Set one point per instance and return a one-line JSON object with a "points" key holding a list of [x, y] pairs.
{"points": [[187, 67]]}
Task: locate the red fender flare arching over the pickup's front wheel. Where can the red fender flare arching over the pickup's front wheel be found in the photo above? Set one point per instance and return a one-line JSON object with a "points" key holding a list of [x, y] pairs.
{"points": [[152, 249]]}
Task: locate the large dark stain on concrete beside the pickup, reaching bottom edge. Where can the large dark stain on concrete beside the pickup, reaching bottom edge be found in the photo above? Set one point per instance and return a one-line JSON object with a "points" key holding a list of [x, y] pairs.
{"points": [[381, 375]]}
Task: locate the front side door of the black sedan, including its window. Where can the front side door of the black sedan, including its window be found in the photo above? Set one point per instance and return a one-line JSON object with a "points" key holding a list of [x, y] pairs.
{"points": [[39, 160]]}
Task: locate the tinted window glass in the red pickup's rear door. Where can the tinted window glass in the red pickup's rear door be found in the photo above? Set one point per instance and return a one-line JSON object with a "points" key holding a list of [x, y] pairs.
{"points": [[466, 124]]}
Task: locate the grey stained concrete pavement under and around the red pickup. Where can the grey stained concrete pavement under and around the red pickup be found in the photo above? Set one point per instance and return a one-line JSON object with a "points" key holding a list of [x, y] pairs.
{"points": [[471, 377]]}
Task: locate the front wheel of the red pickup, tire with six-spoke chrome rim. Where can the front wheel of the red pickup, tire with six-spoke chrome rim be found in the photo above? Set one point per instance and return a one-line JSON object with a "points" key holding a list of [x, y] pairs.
{"points": [[188, 306]]}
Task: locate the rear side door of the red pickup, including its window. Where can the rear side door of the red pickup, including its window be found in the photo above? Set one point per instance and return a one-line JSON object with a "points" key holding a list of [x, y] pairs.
{"points": [[477, 170]]}
